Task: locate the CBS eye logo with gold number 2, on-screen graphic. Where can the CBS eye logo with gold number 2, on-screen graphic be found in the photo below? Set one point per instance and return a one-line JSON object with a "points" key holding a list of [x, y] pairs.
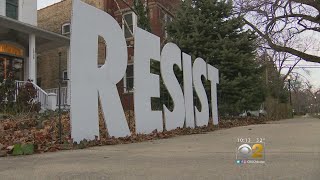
{"points": [[256, 151]]}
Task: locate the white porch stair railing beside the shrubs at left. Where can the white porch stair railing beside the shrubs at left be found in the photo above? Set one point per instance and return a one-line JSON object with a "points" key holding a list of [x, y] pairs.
{"points": [[42, 96]]}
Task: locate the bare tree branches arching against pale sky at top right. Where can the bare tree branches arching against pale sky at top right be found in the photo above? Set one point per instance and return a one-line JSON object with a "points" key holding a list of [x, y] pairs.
{"points": [[289, 26]]}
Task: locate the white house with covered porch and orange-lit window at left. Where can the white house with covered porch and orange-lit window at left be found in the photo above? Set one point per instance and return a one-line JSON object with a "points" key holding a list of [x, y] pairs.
{"points": [[21, 41]]}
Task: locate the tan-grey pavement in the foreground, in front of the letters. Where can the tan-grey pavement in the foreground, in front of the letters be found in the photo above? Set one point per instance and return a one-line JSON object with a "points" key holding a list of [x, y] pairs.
{"points": [[292, 152]]}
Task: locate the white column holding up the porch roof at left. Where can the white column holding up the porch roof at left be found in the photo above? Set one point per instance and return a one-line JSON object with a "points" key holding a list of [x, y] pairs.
{"points": [[32, 58]]}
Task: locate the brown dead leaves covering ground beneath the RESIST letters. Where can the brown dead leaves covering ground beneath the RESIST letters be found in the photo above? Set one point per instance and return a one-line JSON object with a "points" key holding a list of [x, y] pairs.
{"points": [[44, 135]]}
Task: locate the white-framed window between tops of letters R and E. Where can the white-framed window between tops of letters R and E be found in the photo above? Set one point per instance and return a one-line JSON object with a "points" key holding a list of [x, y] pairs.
{"points": [[128, 24]]}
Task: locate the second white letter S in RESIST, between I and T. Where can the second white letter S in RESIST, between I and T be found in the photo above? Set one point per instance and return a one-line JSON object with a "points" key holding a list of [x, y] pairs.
{"points": [[199, 70]]}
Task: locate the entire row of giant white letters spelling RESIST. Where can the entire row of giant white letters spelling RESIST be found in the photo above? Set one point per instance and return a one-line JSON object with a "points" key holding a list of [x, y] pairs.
{"points": [[88, 83]]}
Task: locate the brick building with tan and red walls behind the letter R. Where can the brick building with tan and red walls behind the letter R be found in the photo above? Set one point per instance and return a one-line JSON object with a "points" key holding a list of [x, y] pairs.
{"points": [[56, 18]]}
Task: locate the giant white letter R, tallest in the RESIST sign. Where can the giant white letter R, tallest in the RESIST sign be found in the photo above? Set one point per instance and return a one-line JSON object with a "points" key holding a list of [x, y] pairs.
{"points": [[87, 80]]}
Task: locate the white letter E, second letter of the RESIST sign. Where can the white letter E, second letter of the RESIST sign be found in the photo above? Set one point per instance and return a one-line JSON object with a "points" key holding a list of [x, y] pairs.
{"points": [[147, 47]]}
